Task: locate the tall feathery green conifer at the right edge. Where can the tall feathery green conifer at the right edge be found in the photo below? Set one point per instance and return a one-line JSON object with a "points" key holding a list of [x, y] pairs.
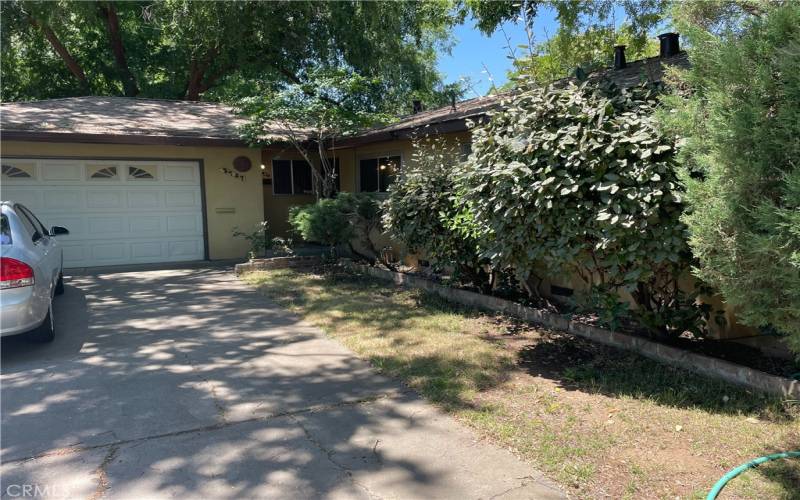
{"points": [[737, 116]]}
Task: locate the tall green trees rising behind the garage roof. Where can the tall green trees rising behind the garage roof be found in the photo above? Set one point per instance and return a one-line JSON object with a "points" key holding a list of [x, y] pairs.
{"points": [[187, 50]]}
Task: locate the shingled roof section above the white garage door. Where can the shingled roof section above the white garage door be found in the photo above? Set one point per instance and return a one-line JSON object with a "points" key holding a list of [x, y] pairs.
{"points": [[122, 119]]}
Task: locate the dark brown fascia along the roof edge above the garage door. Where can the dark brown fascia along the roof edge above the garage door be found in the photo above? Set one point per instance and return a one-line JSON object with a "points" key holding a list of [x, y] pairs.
{"points": [[133, 139]]}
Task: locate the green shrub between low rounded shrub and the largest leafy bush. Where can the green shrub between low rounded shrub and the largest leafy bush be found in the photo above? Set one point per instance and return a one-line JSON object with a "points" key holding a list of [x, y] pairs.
{"points": [[422, 211]]}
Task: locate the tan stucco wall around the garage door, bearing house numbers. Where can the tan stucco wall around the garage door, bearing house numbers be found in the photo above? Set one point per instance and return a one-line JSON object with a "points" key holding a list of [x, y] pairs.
{"points": [[221, 191]]}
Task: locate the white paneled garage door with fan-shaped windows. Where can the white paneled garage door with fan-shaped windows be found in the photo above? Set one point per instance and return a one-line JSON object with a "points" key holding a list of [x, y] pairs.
{"points": [[117, 212]]}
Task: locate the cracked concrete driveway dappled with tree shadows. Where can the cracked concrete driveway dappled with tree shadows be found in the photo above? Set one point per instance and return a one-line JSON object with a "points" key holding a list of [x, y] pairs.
{"points": [[188, 384]]}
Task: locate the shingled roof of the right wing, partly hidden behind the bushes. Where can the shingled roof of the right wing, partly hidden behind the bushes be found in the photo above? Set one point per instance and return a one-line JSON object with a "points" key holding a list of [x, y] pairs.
{"points": [[453, 118]]}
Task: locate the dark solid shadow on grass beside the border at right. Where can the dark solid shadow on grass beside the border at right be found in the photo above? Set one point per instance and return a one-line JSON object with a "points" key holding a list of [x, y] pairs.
{"points": [[578, 364]]}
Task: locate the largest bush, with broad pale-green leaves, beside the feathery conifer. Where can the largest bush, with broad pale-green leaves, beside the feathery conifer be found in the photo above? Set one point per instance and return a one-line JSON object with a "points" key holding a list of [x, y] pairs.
{"points": [[577, 178]]}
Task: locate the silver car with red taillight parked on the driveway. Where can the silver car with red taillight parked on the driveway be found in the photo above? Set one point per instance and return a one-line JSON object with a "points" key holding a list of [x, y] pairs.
{"points": [[31, 273]]}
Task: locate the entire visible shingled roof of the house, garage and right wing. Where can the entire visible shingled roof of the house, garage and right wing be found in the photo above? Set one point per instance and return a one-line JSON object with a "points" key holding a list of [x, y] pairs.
{"points": [[128, 120]]}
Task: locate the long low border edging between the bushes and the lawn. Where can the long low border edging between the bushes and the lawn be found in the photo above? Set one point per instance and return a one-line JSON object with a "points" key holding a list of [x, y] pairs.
{"points": [[698, 363]]}
